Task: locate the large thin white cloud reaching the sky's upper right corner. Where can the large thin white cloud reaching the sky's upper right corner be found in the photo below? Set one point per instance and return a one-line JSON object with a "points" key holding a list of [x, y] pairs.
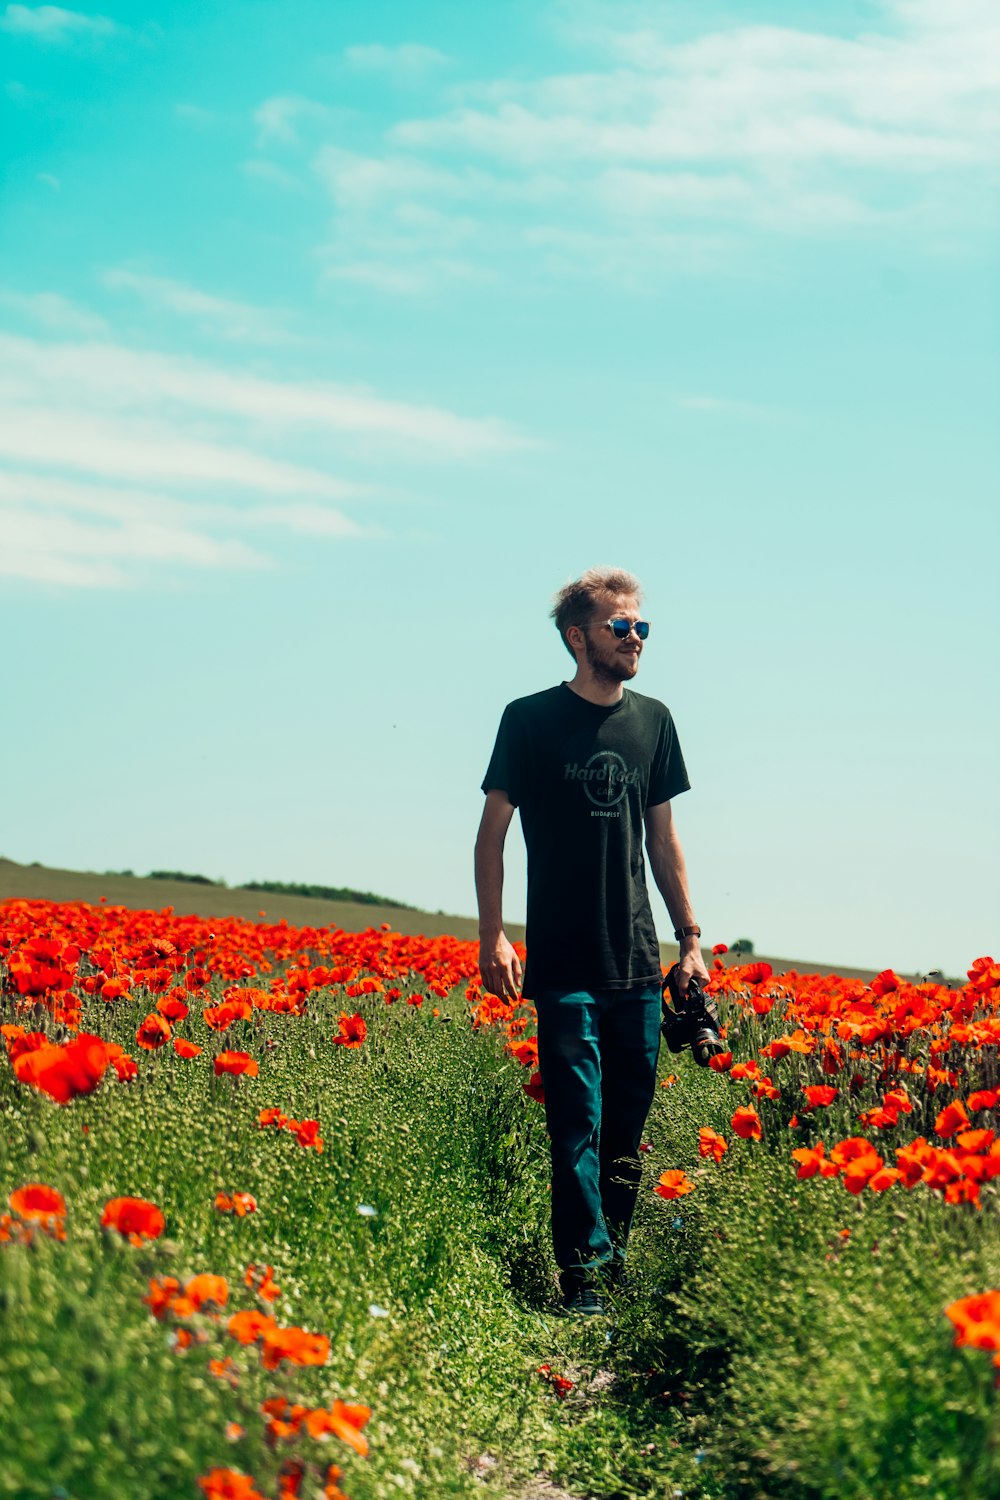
{"points": [[681, 143]]}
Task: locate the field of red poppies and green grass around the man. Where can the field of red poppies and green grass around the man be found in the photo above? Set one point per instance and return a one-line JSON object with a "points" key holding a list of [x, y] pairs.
{"points": [[274, 1223]]}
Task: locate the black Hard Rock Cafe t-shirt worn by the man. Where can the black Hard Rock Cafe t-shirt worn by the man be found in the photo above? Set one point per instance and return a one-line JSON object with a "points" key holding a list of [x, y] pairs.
{"points": [[582, 778]]}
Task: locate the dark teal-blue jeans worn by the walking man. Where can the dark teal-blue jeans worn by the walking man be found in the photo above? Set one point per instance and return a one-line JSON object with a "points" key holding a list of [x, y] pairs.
{"points": [[597, 1055]]}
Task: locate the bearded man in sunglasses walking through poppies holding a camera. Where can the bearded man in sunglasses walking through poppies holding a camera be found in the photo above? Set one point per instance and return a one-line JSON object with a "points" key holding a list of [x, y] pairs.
{"points": [[590, 764]]}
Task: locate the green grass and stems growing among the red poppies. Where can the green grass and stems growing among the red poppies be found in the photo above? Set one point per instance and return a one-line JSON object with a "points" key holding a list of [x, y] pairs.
{"points": [[756, 1355]]}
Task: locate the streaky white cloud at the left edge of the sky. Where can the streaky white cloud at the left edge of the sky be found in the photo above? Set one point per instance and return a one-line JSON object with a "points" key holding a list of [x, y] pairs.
{"points": [[118, 464]]}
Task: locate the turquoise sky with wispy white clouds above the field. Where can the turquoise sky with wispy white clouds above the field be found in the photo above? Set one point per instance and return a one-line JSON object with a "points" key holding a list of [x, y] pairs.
{"points": [[337, 338]]}
